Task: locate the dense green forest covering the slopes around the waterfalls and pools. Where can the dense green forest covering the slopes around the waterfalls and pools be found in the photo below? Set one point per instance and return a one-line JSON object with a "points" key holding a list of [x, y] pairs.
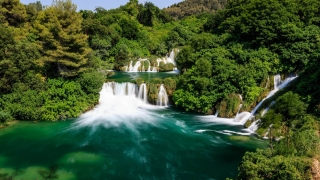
{"points": [[54, 59]]}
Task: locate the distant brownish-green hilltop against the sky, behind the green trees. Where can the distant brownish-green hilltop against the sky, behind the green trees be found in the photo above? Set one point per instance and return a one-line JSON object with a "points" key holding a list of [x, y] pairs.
{"points": [[194, 7]]}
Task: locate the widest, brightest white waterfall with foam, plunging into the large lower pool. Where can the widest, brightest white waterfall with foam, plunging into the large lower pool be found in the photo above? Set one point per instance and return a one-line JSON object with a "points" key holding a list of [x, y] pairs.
{"points": [[119, 104]]}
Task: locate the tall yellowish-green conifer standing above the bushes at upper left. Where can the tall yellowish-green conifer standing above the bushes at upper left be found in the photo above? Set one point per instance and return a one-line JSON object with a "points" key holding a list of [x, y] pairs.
{"points": [[62, 42]]}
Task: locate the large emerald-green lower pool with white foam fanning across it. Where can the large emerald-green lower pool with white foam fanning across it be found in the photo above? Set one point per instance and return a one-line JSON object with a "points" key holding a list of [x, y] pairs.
{"points": [[125, 138]]}
